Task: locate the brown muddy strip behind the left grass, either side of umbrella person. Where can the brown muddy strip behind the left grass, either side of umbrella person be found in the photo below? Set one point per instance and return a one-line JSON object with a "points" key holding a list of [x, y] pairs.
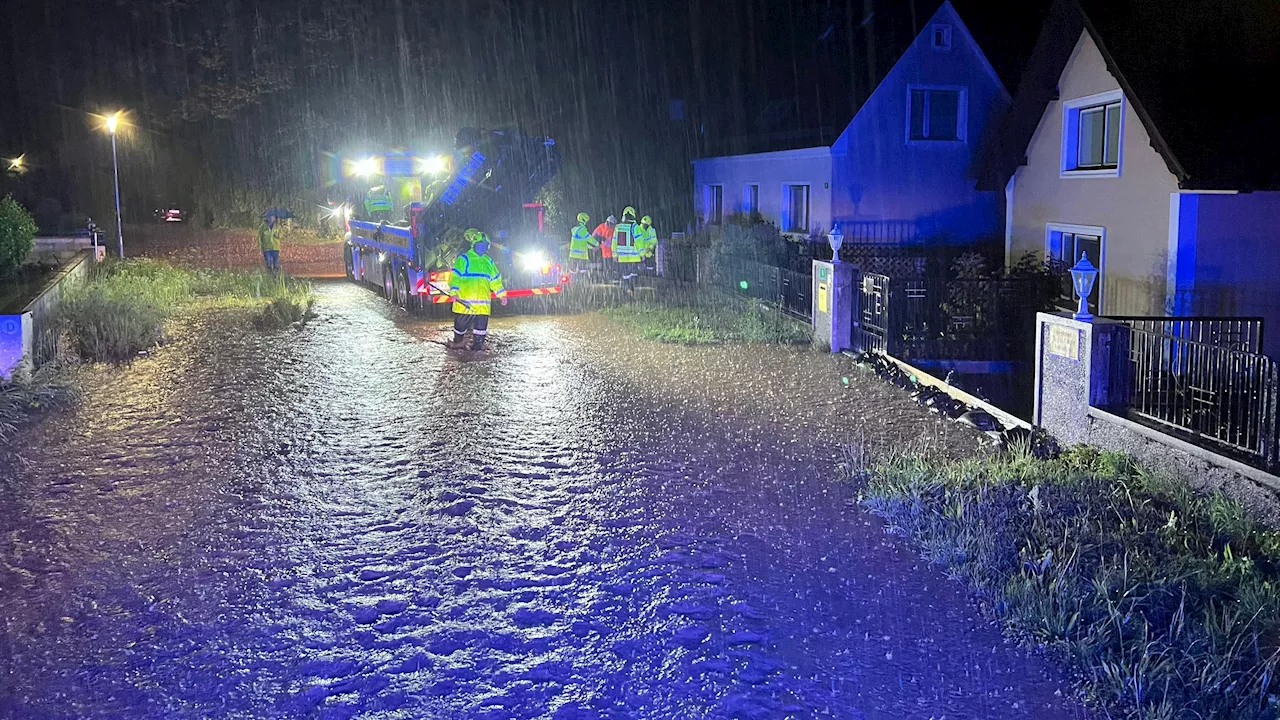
{"points": [[230, 249]]}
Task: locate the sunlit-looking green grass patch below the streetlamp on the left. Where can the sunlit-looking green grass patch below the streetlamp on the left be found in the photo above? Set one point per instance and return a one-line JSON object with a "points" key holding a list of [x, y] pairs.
{"points": [[125, 306]]}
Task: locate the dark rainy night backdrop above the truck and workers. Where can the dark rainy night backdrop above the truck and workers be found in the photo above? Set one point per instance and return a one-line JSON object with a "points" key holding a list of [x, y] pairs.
{"points": [[235, 103]]}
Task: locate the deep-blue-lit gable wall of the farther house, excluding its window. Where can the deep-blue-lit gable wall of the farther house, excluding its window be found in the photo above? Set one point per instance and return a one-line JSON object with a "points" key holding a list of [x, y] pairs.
{"points": [[883, 177]]}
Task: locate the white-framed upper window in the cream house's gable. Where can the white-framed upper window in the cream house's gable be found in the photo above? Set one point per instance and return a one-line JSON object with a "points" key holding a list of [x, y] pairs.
{"points": [[1092, 133]]}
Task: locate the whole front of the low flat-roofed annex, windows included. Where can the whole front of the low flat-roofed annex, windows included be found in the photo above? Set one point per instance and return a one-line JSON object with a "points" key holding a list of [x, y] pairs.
{"points": [[792, 188]]}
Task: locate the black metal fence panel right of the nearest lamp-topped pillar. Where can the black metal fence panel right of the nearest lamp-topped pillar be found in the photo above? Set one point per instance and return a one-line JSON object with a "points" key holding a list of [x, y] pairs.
{"points": [[1206, 379]]}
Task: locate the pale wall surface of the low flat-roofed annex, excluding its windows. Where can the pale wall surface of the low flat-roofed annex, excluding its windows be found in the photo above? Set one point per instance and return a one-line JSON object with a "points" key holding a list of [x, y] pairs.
{"points": [[771, 171]]}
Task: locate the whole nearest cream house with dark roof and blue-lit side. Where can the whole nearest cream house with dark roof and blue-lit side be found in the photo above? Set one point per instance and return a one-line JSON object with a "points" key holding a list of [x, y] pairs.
{"points": [[1158, 165]]}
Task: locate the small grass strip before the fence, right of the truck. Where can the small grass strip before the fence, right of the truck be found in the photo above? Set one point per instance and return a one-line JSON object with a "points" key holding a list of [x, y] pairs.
{"points": [[708, 323]]}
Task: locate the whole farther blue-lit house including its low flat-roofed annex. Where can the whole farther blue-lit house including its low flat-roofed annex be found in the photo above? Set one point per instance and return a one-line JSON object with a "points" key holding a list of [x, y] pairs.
{"points": [[904, 161]]}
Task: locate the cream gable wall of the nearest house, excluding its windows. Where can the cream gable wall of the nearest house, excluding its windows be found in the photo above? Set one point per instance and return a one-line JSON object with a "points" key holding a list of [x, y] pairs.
{"points": [[1133, 208]]}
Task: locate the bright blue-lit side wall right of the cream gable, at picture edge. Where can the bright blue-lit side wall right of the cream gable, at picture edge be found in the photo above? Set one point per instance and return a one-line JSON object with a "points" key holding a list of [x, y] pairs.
{"points": [[1224, 256]]}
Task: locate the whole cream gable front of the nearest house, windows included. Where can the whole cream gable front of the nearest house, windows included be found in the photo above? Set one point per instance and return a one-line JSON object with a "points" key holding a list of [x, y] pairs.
{"points": [[1063, 195]]}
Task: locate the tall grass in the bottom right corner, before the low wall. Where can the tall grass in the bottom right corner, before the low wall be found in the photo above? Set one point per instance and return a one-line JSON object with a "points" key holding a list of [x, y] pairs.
{"points": [[1167, 603]]}
